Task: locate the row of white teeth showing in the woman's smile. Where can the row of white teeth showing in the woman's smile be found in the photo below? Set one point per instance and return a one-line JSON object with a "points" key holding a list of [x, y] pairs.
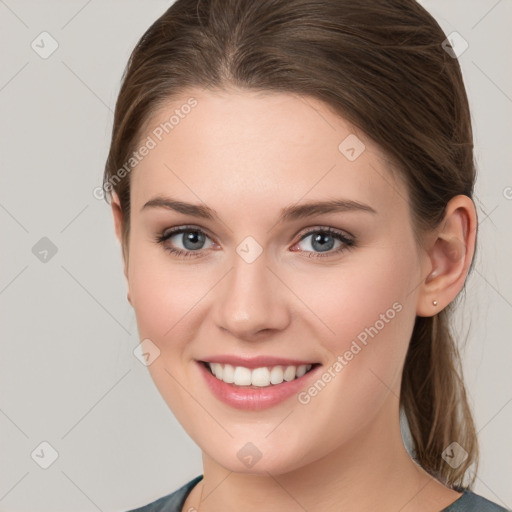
{"points": [[260, 377]]}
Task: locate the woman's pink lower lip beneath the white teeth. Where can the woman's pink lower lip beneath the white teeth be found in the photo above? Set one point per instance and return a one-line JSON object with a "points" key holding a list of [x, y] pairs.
{"points": [[241, 397]]}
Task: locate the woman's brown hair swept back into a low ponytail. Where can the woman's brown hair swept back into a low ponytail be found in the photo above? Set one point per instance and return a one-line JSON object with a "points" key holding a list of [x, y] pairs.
{"points": [[380, 65]]}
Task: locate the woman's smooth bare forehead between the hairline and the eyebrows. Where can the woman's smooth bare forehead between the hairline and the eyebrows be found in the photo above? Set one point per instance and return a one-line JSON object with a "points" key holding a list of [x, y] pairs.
{"points": [[259, 150]]}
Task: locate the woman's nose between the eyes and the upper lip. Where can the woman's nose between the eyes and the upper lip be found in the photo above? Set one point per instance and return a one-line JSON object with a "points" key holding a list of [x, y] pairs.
{"points": [[251, 300]]}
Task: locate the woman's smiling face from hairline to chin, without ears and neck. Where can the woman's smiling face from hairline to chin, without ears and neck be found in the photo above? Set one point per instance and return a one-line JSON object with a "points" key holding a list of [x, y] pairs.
{"points": [[259, 275]]}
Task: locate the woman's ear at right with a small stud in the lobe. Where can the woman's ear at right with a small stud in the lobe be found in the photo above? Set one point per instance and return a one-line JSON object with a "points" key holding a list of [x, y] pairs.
{"points": [[449, 252]]}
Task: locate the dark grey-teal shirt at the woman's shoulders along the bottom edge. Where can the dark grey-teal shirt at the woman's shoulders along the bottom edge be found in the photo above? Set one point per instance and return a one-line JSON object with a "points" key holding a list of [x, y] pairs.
{"points": [[468, 502]]}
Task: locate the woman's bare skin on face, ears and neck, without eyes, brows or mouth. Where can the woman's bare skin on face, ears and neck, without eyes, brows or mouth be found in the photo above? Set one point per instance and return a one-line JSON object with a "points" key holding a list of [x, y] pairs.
{"points": [[247, 155]]}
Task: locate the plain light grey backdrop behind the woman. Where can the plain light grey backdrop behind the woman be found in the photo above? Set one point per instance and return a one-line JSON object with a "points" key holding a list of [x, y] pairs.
{"points": [[67, 372]]}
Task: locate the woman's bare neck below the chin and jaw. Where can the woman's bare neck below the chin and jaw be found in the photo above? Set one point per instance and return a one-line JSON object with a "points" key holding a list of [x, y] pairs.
{"points": [[373, 471]]}
